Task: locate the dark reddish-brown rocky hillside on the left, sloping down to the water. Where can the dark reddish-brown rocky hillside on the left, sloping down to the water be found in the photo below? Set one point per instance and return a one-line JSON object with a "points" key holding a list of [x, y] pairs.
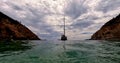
{"points": [[12, 29]]}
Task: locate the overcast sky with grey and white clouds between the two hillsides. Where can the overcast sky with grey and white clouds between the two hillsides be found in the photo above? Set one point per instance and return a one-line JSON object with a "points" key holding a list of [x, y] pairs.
{"points": [[45, 17]]}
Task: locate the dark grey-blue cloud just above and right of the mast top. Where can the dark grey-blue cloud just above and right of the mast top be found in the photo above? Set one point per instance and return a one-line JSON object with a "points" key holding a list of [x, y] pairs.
{"points": [[75, 9]]}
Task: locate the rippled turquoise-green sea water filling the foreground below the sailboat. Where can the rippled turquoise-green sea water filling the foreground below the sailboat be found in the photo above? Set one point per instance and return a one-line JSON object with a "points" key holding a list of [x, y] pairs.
{"points": [[74, 51]]}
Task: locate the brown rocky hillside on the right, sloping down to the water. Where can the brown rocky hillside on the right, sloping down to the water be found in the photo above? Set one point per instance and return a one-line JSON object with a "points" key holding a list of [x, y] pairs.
{"points": [[109, 31]]}
